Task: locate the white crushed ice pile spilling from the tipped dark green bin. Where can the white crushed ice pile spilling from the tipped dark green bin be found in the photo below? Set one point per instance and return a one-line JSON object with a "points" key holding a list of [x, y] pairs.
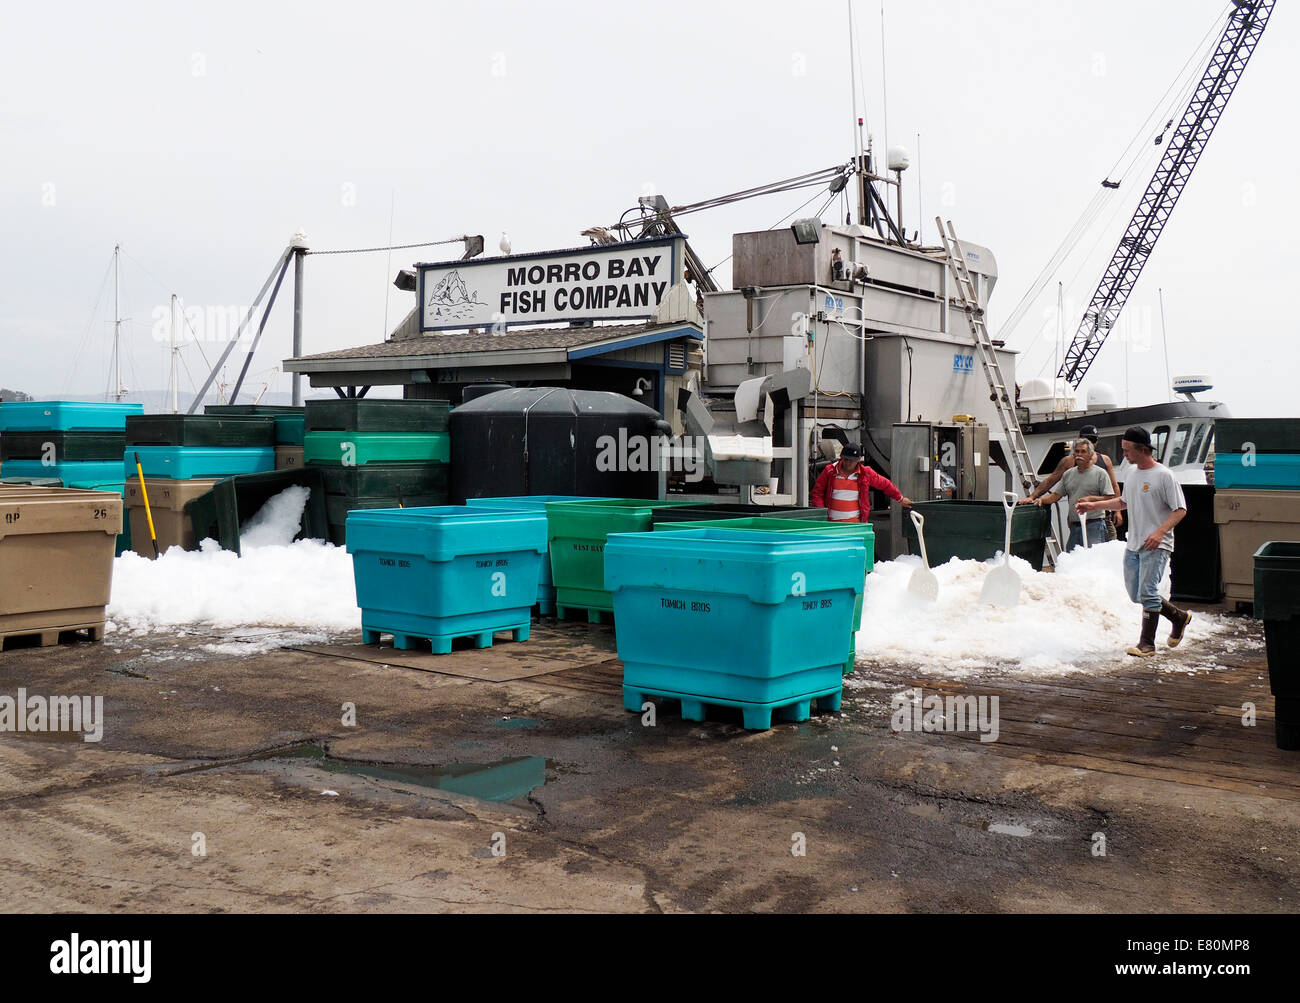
{"points": [[276, 584]]}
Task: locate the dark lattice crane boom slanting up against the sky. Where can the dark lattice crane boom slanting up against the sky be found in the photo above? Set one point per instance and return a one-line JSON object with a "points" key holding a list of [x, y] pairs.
{"points": [[1242, 34]]}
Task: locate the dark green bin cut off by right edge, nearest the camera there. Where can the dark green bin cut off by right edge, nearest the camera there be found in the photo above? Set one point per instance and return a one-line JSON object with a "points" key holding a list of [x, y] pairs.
{"points": [[1277, 603]]}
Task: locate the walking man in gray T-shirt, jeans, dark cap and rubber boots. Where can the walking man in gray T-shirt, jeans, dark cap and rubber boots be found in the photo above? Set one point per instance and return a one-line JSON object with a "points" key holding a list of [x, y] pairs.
{"points": [[1155, 503]]}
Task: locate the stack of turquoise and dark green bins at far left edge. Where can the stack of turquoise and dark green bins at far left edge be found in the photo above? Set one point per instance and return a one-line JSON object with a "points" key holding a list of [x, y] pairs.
{"points": [[67, 444]]}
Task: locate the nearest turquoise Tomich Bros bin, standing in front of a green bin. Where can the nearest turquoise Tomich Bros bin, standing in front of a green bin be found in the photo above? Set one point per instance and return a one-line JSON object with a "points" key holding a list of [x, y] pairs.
{"points": [[743, 619]]}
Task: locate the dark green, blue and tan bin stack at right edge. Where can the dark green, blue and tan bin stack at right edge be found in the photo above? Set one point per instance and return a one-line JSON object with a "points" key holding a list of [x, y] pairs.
{"points": [[1256, 494]]}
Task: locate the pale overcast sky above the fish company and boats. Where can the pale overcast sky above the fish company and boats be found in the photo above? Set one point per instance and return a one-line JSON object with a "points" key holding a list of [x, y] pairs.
{"points": [[203, 137]]}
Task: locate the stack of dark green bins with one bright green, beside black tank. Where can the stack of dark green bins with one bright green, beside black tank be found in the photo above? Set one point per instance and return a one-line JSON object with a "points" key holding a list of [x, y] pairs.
{"points": [[378, 455]]}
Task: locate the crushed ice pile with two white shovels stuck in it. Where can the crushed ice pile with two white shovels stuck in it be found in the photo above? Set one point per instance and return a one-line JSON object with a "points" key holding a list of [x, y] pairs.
{"points": [[1078, 619]]}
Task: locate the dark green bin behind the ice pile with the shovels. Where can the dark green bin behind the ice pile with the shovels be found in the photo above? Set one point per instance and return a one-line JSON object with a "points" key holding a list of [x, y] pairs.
{"points": [[976, 532]]}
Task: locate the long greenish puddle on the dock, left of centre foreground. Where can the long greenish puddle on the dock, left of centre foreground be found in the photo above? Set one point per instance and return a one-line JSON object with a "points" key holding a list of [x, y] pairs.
{"points": [[502, 781]]}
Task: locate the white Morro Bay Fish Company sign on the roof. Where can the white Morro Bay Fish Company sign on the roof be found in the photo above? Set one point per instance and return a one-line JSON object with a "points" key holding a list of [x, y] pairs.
{"points": [[600, 284]]}
